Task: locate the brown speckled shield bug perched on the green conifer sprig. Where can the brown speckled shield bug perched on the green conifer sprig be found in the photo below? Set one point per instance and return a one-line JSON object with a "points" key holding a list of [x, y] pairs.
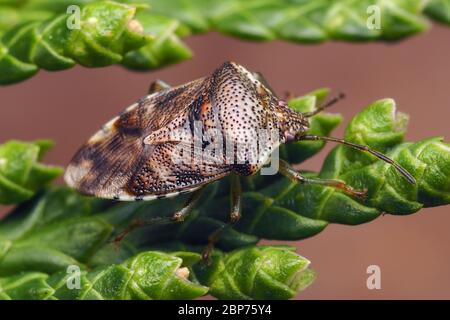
{"points": [[153, 149]]}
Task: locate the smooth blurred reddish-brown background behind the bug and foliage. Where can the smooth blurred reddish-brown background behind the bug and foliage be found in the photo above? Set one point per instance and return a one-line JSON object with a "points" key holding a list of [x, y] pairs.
{"points": [[412, 251]]}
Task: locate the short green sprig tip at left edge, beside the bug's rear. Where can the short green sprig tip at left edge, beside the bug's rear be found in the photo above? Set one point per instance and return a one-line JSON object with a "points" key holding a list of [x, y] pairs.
{"points": [[21, 173]]}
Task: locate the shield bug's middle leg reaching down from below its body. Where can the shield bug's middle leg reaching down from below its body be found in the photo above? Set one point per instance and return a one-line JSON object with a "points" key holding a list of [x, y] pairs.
{"points": [[235, 215]]}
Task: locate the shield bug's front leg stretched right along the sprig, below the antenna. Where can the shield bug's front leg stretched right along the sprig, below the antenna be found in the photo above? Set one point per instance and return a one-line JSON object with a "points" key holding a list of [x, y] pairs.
{"points": [[291, 173]]}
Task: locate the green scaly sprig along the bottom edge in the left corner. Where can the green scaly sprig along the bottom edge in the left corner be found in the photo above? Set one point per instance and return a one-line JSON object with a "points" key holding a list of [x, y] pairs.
{"points": [[148, 275]]}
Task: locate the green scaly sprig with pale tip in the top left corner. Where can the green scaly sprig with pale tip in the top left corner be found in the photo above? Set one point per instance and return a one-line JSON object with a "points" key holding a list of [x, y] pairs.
{"points": [[102, 33]]}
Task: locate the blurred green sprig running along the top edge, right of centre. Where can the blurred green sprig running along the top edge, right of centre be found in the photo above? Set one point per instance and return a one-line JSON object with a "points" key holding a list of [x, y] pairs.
{"points": [[303, 21]]}
